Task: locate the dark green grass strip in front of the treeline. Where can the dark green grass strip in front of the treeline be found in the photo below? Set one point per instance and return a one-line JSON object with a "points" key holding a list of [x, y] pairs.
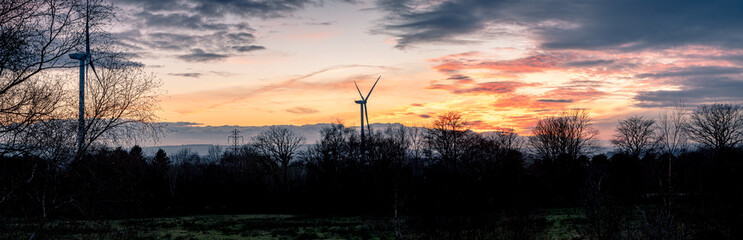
{"points": [[554, 224]]}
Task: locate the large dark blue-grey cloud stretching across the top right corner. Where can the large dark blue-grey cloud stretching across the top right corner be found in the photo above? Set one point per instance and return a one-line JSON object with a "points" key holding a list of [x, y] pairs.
{"points": [[627, 25]]}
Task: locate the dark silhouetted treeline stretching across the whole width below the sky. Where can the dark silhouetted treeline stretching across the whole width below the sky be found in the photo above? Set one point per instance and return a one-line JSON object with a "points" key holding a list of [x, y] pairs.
{"points": [[672, 185]]}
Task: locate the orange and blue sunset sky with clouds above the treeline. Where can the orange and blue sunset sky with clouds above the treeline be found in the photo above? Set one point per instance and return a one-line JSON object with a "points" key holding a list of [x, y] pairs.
{"points": [[503, 64]]}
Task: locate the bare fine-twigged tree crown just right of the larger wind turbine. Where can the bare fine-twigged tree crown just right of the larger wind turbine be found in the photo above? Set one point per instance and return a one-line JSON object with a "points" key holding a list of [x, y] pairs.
{"points": [[122, 104]]}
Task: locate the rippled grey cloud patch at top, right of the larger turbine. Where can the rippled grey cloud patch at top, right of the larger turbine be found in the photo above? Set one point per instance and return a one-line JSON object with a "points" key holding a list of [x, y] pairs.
{"points": [[218, 28]]}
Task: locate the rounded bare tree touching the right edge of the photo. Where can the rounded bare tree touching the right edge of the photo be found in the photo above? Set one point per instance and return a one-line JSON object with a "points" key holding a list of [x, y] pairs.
{"points": [[717, 126]]}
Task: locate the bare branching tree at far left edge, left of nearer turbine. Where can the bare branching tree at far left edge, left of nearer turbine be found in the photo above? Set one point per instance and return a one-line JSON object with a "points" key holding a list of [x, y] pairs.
{"points": [[35, 36]]}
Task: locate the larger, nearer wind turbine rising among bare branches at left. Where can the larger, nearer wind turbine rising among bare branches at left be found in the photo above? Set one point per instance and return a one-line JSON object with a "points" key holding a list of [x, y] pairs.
{"points": [[85, 60]]}
